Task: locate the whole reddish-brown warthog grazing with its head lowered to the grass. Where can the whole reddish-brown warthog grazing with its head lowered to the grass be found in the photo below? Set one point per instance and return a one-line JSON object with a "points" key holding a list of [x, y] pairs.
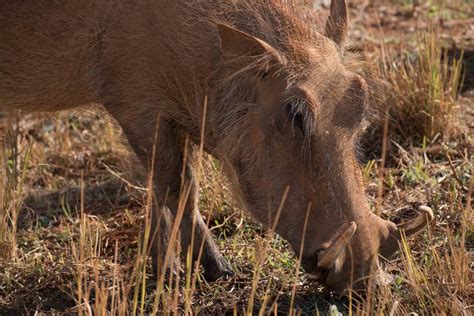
{"points": [[269, 95]]}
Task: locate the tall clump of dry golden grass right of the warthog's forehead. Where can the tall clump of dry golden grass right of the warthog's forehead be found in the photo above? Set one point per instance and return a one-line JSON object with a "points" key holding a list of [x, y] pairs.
{"points": [[417, 86]]}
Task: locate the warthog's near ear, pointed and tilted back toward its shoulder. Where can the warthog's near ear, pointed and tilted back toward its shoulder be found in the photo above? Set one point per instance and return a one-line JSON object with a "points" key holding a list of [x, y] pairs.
{"points": [[238, 43]]}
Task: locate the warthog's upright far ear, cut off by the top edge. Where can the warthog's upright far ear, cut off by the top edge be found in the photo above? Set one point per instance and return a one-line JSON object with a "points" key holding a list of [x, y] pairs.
{"points": [[336, 25]]}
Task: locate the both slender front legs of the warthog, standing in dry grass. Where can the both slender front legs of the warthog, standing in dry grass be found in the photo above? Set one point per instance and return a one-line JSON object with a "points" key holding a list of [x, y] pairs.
{"points": [[169, 192]]}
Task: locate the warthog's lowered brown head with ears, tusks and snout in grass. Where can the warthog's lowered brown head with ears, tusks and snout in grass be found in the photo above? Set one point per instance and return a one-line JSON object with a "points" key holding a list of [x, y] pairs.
{"points": [[292, 116]]}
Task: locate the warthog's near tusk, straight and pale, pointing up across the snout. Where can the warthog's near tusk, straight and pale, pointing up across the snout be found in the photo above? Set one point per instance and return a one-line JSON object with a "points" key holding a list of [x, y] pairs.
{"points": [[328, 257]]}
